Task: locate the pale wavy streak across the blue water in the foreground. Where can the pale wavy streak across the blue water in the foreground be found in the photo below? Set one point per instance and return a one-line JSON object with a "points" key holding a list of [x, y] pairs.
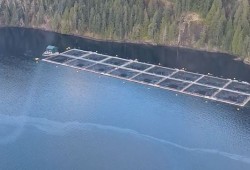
{"points": [[61, 128]]}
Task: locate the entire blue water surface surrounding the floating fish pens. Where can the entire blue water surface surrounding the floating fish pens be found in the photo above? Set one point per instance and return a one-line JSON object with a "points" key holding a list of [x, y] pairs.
{"points": [[57, 118]]}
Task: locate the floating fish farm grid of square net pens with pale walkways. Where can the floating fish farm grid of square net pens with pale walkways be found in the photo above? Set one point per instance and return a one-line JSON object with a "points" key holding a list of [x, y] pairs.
{"points": [[205, 86]]}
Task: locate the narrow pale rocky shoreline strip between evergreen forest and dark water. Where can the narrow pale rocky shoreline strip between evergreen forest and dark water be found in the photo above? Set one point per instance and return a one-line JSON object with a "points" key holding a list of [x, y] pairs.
{"points": [[236, 58]]}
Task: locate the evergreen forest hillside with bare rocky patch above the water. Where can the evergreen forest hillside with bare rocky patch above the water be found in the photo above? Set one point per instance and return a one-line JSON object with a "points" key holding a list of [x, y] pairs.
{"points": [[222, 24]]}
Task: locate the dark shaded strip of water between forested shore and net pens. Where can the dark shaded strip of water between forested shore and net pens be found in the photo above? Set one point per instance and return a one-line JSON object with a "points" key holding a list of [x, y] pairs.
{"points": [[35, 41]]}
